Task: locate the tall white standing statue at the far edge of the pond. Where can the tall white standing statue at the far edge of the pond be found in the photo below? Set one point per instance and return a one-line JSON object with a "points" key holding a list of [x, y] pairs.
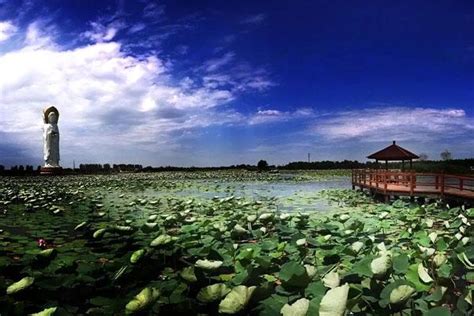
{"points": [[51, 137]]}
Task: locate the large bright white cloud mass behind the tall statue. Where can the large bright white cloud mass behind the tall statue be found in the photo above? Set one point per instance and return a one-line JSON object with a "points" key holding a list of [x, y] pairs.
{"points": [[111, 104]]}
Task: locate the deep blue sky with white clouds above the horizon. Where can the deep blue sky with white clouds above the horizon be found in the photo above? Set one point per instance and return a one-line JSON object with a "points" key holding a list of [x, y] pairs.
{"points": [[212, 83]]}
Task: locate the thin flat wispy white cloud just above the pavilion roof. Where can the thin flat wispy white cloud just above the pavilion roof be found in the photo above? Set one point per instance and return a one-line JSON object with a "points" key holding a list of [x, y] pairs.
{"points": [[401, 123]]}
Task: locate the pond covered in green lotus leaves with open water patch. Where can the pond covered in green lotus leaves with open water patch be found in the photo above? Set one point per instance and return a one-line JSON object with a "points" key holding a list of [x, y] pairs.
{"points": [[227, 242]]}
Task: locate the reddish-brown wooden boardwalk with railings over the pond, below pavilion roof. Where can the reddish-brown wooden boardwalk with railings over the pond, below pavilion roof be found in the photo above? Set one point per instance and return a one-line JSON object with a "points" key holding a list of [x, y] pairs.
{"points": [[397, 183]]}
